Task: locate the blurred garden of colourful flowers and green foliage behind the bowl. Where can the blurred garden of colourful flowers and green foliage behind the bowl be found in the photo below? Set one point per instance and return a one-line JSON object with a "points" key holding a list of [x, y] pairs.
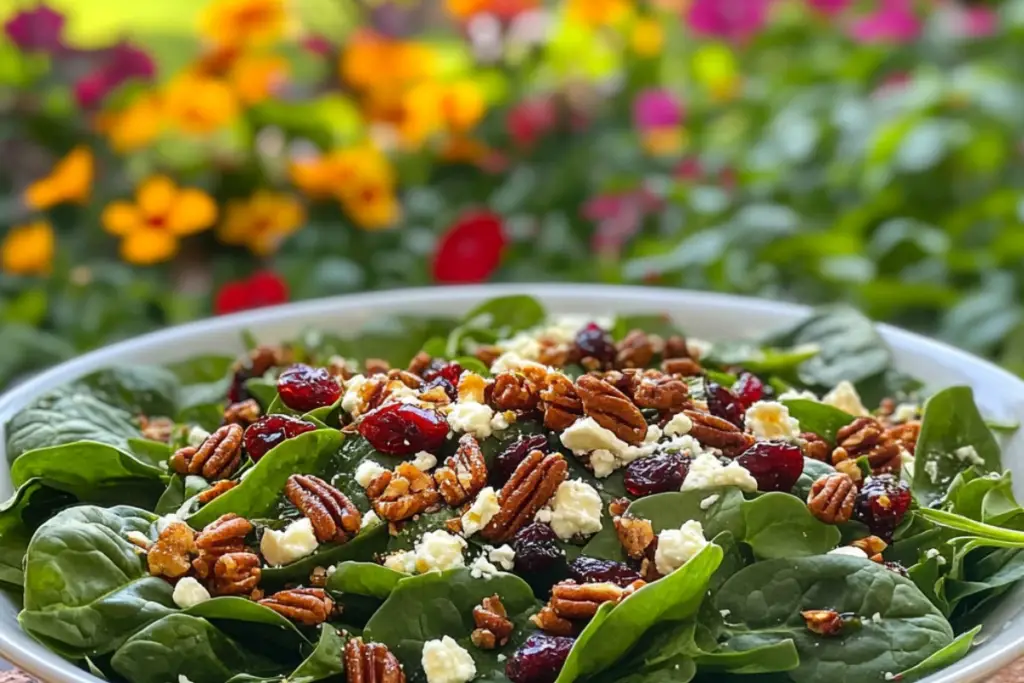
{"points": [[167, 160]]}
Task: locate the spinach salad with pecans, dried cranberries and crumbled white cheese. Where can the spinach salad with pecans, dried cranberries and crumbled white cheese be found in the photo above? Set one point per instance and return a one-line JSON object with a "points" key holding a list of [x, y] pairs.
{"points": [[513, 497]]}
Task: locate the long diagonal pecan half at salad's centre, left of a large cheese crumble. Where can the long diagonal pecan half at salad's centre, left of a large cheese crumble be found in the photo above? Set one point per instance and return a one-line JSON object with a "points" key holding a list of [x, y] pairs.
{"points": [[531, 487]]}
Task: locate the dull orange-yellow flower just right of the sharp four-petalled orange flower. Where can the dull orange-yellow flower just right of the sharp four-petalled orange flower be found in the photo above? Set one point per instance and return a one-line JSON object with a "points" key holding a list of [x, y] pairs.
{"points": [[262, 222]]}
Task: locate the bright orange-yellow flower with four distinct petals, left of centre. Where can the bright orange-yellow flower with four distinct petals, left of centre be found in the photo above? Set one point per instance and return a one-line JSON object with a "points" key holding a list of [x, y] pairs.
{"points": [[150, 228]]}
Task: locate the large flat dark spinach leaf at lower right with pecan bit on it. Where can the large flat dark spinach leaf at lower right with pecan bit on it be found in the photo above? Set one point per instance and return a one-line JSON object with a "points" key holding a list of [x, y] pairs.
{"points": [[765, 601]]}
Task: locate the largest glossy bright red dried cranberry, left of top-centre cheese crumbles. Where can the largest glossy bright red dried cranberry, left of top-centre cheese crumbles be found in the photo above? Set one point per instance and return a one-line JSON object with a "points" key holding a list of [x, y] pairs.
{"points": [[402, 430]]}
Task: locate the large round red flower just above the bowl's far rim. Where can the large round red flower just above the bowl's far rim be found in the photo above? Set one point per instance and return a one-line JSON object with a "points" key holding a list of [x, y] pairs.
{"points": [[472, 250]]}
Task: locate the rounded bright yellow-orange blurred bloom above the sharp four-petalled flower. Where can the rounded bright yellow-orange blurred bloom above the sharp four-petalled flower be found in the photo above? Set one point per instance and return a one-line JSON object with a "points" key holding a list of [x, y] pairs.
{"points": [[200, 105]]}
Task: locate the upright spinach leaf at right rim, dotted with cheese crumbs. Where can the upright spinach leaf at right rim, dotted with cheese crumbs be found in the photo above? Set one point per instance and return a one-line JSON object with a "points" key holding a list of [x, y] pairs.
{"points": [[952, 422]]}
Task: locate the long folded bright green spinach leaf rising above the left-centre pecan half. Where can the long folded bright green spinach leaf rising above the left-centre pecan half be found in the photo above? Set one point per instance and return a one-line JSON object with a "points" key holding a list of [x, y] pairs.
{"points": [[262, 488]]}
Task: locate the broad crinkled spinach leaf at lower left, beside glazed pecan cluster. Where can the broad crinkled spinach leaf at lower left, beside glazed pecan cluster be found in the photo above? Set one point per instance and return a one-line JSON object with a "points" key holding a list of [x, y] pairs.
{"points": [[87, 587]]}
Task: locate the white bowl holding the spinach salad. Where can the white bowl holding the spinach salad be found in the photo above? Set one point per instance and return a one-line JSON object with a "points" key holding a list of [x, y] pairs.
{"points": [[1000, 396]]}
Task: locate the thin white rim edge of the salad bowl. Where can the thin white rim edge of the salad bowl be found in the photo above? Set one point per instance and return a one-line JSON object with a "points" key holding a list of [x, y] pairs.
{"points": [[51, 668]]}
